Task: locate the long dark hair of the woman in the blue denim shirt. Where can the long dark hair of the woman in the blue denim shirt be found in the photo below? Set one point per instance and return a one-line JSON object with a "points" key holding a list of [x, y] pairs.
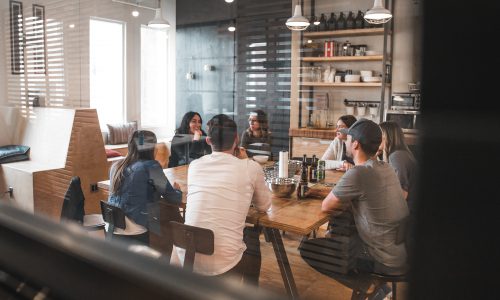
{"points": [[141, 146]]}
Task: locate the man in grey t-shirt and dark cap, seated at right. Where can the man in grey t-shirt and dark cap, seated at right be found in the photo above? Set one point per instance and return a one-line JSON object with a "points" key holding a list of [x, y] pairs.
{"points": [[373, 191]]}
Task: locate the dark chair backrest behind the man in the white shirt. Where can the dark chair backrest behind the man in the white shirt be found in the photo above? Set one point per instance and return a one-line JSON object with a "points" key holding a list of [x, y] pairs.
{"points": [[194, 240]]}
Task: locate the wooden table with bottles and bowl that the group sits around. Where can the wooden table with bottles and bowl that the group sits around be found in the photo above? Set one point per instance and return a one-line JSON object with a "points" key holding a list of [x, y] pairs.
{"points": [[286, 214]]}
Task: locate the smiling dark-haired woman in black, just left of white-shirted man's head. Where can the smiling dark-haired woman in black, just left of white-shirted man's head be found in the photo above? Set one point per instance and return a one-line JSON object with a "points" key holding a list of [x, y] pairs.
{"points": [[189, 142]]}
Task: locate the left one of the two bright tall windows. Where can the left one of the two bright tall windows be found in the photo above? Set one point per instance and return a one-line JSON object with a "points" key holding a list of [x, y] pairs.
{"points": [[107, 70]]}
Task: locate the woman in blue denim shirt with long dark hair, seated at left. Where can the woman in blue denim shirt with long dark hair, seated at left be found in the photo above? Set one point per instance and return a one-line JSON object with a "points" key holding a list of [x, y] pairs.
{"points": [[137, 181]]}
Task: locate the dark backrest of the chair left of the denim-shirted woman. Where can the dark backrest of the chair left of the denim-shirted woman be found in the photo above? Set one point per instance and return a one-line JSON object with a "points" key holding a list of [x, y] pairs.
{"points": [[74, 201]]}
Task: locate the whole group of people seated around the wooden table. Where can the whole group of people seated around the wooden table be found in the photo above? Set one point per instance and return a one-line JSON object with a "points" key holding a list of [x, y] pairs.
{"points": [[377, 187]]}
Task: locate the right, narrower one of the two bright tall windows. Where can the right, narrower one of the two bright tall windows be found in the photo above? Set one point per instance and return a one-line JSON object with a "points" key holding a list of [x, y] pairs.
{"points": [[153, 77]]}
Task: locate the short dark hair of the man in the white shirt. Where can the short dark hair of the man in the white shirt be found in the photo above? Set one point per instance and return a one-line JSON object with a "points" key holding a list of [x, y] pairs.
{"points": [[222, 132]]}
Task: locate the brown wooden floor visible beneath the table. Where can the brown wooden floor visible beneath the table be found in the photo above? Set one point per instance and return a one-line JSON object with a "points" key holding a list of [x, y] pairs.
{"points": [[310, 283]]}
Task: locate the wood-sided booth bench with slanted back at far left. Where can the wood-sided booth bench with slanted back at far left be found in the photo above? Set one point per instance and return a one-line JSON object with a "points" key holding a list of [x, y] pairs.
{"points": [[63, 143]]}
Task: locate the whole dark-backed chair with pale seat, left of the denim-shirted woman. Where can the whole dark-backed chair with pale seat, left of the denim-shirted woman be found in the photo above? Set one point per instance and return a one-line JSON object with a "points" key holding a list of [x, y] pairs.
{"points": [[73, 207]]}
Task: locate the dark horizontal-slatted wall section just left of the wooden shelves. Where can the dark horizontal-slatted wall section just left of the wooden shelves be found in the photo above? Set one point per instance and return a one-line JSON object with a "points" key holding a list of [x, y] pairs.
{"points": [[263, 65]]}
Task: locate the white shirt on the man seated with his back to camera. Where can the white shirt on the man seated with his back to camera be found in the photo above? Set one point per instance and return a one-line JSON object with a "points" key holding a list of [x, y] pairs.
{"points": [[220, 190]]}
